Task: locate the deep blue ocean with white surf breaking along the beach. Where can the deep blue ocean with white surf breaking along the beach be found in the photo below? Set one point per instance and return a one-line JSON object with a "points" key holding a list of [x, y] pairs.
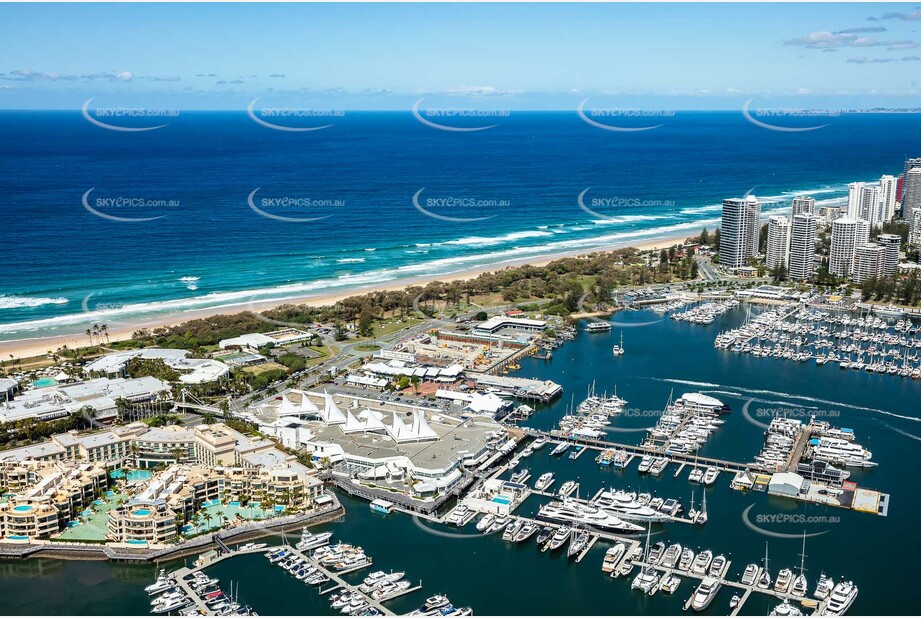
{"points": [[215, 210]]}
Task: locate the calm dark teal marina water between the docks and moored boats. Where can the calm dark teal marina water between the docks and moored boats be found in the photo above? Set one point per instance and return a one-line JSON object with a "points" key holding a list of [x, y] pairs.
{"points": [[495, 578]]}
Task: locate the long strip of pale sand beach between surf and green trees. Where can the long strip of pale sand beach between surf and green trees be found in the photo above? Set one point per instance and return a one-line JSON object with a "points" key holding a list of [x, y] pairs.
{"points": [[38, 346]]}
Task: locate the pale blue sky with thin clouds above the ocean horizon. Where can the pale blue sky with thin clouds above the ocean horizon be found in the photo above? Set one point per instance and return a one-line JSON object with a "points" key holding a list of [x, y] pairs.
{"points": [[494, 56]]}
